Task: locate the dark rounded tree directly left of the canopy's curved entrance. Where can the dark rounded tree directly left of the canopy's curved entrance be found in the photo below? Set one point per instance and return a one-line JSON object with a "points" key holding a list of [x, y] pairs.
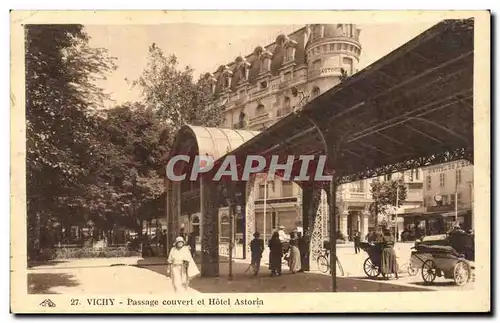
{"points": [[135, 143]]}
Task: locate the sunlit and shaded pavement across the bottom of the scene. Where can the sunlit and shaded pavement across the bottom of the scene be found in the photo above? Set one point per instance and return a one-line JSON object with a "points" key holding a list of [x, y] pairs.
{"points": [[134, 275]]}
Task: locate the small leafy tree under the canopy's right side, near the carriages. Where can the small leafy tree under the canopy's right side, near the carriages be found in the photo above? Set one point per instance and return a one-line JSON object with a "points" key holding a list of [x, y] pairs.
{"points": [[385, 194]]}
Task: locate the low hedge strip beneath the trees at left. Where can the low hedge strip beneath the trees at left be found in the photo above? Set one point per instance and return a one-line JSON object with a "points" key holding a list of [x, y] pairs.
{"points": [[88, 252]]}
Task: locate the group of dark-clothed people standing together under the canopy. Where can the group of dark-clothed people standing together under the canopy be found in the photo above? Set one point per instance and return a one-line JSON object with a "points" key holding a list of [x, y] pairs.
{"points": [[282, 246]]}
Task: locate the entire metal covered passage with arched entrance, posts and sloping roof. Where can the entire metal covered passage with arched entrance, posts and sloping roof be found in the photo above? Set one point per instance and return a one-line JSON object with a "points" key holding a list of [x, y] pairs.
{"points": [[412, 108]]}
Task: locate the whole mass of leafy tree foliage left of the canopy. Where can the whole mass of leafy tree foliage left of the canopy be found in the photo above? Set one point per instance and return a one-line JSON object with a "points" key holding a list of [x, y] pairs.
{"points": [[95, 167]]}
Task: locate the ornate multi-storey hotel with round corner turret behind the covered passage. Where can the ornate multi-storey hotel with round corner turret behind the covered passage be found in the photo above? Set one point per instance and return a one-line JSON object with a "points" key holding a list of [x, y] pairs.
{"points": [[256, 91]]}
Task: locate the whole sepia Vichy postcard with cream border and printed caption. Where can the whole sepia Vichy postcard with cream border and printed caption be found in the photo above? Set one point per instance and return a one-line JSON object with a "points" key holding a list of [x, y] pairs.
{"points": [[250, 162]]}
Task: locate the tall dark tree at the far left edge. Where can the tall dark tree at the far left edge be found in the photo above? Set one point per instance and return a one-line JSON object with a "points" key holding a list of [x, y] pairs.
{"points": [[61, 95]]}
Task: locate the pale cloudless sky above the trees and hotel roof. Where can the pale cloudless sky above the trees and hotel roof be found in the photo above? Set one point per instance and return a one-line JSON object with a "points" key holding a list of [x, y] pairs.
{"points": [[205, 47]]}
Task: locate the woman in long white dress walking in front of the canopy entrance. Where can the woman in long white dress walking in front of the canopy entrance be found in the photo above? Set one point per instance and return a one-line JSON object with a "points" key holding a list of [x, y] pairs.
{"points": [[182, 265]]}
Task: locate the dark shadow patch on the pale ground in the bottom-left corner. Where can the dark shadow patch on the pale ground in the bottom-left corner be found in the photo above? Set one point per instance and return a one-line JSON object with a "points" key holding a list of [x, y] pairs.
{"points": [[42, 283]]}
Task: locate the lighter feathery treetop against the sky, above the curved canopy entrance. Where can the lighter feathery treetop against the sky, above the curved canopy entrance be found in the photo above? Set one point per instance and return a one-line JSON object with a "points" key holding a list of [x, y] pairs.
{"points": [[174, 96]]}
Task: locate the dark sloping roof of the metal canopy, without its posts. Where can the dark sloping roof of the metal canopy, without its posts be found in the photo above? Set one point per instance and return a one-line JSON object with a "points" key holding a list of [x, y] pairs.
{"points": [[412, 108]]}
